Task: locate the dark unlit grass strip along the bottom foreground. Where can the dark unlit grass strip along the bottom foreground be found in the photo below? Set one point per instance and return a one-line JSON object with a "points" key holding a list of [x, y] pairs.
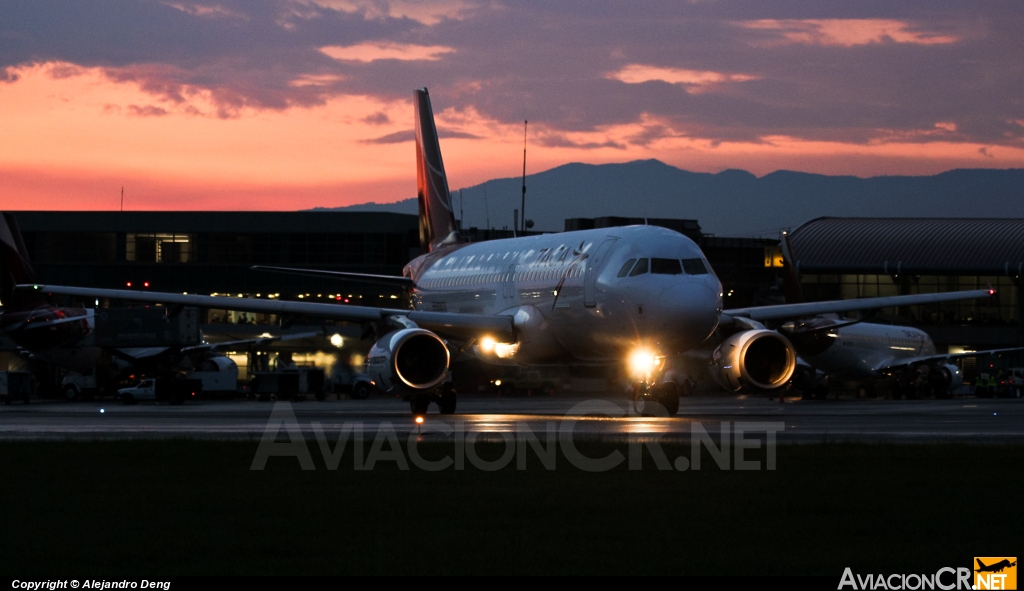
{"points": [[189, 508]]}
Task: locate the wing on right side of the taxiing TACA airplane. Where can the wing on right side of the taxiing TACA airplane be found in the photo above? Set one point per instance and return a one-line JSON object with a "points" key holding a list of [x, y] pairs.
{"points": [[785, 312]]}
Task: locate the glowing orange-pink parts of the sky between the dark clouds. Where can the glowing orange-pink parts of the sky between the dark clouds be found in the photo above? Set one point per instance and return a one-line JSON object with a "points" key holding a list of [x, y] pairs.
{"points": [[74, 136]]}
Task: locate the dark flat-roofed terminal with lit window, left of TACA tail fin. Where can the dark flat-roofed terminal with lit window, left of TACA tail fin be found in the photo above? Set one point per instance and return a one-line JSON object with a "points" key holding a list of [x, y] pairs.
{"points": [[212, 252]]}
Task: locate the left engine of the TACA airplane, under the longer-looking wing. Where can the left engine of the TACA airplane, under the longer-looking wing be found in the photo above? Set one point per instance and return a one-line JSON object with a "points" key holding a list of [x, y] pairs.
{"points": [[410, 360]]}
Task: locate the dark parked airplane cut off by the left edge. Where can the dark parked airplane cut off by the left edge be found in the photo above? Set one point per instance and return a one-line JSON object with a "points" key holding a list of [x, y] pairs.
{"points": [[60, 336]]}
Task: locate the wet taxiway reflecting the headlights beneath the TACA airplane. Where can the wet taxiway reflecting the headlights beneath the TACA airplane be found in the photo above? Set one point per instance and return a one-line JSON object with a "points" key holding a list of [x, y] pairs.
{"points": [[607, 418]]}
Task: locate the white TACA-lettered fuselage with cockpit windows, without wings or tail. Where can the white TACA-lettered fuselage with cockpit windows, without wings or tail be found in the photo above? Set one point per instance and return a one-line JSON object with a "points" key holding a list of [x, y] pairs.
{"points": [[581, 297]]}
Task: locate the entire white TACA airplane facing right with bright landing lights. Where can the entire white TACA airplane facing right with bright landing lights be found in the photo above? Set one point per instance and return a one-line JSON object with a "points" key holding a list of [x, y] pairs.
{"points": [[589, 298]]}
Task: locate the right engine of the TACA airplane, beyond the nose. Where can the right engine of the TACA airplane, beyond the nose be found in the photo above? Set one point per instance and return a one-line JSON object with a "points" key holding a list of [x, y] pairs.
{"points": [[759, 359]]}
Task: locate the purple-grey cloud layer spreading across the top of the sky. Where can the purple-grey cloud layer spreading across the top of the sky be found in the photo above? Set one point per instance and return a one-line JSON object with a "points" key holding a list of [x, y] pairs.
{"points": [[551, 63]]}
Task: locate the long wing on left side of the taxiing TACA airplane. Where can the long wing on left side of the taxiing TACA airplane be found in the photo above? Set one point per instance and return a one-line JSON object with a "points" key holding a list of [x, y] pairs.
{"points": [[445, 324]]}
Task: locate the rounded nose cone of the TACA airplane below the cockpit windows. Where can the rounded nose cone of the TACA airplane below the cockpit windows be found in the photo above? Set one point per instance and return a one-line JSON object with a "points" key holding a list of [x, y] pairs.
{"points": [[688, 314]]}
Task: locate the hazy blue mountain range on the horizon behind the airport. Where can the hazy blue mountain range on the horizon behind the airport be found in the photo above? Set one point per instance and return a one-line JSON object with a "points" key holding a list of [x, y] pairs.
{"points": [[733, 203]]}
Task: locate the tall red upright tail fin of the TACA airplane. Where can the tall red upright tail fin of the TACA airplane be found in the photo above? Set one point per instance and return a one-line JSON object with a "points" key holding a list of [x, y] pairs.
{"points": [[438, 225]]}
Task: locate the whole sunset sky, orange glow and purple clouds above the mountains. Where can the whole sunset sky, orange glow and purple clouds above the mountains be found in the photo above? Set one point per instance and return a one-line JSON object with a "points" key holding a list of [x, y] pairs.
{"points": [[291, 105]]}
